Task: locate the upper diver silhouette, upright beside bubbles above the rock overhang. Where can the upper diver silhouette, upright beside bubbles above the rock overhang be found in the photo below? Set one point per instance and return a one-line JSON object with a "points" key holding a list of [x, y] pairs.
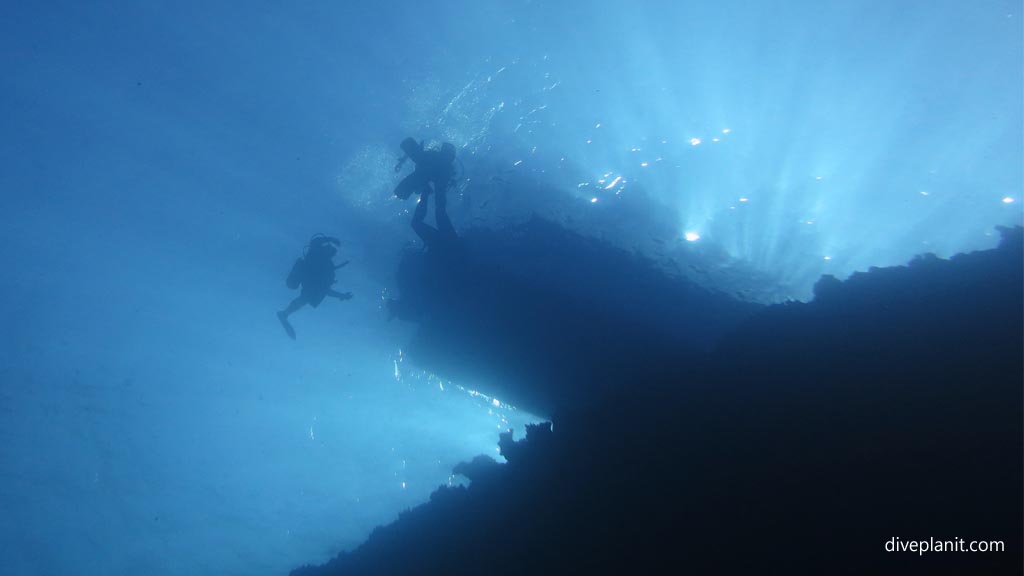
{"points": [[434, 175]]}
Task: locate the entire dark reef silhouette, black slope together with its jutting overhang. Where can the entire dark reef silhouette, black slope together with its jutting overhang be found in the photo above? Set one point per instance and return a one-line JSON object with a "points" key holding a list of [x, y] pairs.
{"points": [[792, 439]]}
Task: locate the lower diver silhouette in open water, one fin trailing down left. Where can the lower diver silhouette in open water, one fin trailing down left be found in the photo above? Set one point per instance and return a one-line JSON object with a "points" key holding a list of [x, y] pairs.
{"points": [[315, 274]]}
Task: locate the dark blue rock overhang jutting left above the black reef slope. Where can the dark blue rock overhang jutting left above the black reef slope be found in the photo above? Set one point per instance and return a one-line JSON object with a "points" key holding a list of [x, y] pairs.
{"points": [[550, 318]]}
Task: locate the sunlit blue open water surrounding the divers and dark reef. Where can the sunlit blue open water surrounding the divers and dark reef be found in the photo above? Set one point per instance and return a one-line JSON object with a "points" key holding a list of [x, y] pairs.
{"points": [[164, 163]]}
